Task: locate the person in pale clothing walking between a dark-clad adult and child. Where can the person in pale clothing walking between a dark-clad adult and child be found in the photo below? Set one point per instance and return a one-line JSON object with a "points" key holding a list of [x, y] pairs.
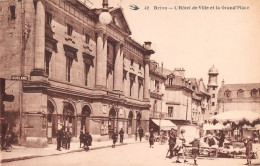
{"points": [[180, 144]]}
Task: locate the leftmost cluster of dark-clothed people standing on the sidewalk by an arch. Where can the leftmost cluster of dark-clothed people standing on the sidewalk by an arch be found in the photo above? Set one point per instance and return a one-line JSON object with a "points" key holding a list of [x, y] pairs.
{"points": [[63, 138]]}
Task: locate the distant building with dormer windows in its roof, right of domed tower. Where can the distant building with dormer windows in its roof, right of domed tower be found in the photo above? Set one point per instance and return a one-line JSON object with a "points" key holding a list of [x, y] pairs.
{"points": [[235, 97]]}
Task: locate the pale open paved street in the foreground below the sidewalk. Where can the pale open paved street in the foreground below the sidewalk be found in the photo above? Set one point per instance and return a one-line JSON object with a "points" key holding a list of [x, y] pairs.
{"points": [[128, 155]]}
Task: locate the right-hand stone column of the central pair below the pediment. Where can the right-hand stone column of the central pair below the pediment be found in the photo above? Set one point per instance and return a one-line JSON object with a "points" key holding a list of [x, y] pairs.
{"points": [[118, 67]]}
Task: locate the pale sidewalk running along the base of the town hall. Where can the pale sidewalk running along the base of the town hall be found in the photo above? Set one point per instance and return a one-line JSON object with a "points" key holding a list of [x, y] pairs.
{"points": [[21, 153]]}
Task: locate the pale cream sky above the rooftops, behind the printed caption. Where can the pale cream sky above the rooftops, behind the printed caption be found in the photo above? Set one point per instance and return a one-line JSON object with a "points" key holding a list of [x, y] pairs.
{"points": [[196, 39]]}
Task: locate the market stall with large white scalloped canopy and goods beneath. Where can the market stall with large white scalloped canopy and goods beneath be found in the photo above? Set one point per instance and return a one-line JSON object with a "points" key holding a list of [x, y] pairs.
{"points": [[237, 120]]}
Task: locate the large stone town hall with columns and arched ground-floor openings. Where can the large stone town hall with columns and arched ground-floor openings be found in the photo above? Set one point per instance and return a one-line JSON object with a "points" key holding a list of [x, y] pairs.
{"points": [[81, 74]]}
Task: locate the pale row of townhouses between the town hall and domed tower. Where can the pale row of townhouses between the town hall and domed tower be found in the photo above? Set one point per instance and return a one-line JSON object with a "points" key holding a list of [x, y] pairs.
{"points": [[176, 99]]}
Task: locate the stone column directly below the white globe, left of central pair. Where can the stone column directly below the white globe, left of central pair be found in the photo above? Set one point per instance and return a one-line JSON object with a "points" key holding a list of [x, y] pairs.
{"points": [[101, 65]]}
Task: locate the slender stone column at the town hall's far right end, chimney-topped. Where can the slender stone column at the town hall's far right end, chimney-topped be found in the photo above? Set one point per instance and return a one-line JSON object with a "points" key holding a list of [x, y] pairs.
{"points": [[148, 53]]}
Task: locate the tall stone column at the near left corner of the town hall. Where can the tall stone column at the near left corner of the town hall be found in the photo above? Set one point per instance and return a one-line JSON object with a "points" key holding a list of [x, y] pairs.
{"points": [[39, 37]]}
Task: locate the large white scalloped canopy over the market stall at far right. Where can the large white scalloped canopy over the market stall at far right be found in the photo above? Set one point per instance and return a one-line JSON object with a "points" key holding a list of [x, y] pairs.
{"points": [[237, 116]]}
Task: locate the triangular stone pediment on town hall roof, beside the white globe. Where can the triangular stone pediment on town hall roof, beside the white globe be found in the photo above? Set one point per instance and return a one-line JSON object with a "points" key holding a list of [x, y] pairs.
{"points": [[119, 21]]}
